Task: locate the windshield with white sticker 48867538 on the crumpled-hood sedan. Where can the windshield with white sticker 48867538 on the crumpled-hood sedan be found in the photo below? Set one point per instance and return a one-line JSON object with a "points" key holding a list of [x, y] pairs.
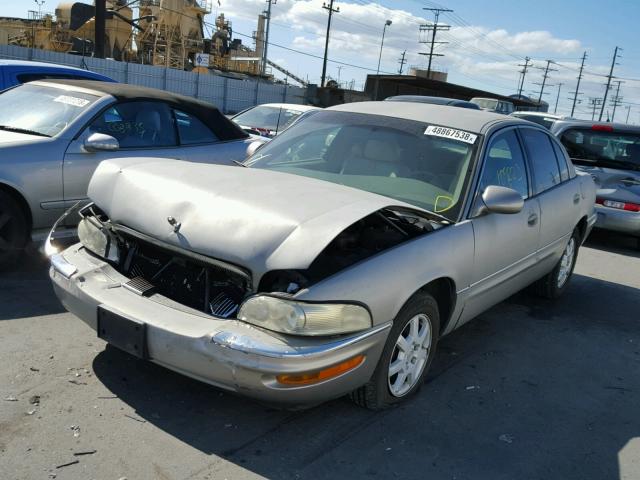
{"points": [[409, 161]]}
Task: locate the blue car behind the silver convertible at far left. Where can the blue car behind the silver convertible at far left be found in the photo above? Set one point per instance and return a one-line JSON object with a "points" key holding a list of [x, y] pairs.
{"points": [[15, 72]]}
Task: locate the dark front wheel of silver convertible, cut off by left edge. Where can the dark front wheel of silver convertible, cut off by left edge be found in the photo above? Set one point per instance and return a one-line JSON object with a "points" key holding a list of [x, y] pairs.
{"points": [[14, 230]]}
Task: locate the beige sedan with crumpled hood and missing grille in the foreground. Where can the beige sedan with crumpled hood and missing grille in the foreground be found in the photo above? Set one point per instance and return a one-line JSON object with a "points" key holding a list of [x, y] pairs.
{"points": [[335, 262]]}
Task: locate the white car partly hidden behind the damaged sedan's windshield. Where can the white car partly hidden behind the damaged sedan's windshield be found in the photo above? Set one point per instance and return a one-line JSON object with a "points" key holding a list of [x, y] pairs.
{"points": [[270, 119]]}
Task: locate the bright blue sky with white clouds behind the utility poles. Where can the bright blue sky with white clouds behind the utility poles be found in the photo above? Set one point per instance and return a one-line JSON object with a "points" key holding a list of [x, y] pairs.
{"points": [[486, 41]]}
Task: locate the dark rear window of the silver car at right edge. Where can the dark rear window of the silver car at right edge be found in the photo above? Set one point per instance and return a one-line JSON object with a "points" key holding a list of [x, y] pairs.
{"points": [[602, 148]]}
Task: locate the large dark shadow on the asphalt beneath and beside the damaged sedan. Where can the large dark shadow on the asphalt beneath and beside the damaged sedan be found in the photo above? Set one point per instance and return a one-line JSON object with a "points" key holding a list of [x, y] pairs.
{"points": [[550, 391]]}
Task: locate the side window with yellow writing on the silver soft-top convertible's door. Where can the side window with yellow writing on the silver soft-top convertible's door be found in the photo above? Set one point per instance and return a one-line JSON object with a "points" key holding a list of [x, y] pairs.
{"points": [[137, 125]]}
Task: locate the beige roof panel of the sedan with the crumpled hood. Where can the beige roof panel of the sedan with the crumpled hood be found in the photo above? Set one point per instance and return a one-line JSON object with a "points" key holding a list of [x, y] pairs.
{"points": [[471, 120]]}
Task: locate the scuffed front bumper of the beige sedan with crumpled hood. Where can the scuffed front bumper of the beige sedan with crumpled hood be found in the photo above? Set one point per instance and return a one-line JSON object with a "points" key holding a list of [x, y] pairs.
{"points": [[226, 353]]}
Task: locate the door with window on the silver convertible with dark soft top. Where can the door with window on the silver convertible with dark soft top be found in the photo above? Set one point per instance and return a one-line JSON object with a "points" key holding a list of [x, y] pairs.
{"points": [[143, 129]]}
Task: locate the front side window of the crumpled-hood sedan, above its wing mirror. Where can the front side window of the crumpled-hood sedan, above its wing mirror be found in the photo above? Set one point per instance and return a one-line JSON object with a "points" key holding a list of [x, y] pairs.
{"points": [[504, 164]]}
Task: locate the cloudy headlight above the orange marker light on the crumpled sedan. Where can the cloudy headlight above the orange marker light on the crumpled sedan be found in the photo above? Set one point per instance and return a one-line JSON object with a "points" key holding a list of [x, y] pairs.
{"points": [[301, 318]]}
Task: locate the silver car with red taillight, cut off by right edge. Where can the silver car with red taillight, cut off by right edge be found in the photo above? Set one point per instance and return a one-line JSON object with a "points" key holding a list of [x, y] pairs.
{"points": [[610, 153]]}
